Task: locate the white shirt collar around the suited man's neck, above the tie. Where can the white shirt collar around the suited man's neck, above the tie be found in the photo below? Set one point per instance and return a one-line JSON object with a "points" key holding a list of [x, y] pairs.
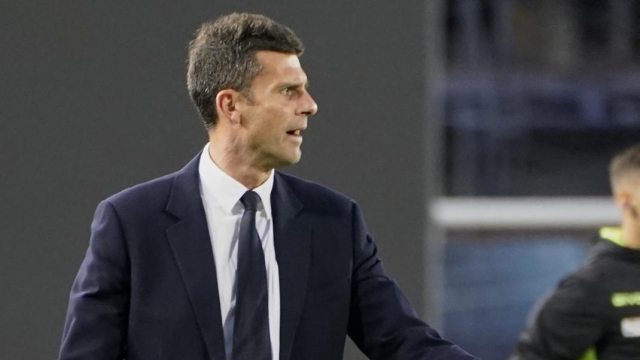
{"points": [[227, 191]]}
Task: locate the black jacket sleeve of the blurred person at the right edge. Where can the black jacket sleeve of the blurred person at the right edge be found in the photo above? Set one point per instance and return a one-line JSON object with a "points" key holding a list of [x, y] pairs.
{"points": [[564, 325]]}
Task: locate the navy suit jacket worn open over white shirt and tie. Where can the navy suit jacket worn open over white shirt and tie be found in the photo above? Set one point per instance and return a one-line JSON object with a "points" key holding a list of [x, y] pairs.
{"points": [[147, 288]]}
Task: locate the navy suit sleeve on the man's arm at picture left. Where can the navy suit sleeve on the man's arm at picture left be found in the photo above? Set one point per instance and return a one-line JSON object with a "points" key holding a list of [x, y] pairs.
{"points": [[96, 322]]}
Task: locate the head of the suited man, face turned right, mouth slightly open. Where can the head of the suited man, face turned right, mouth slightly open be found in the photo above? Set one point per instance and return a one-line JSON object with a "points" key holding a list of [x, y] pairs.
{"points": [[247, 82]]}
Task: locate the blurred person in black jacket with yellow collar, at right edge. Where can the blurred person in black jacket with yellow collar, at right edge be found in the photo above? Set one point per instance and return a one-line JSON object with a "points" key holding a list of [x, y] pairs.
{"points": [[594, 313]]}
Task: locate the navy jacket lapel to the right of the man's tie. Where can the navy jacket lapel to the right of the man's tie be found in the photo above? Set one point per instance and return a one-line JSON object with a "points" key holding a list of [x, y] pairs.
{"points": [[292, 237]]}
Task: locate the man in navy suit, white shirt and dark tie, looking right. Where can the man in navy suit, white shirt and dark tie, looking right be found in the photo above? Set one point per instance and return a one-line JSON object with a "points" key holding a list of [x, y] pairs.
{"points": [[229, 259]]}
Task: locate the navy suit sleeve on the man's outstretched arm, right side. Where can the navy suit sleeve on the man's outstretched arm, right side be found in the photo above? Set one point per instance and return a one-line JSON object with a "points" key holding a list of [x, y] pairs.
{"points": [[382, 322]]}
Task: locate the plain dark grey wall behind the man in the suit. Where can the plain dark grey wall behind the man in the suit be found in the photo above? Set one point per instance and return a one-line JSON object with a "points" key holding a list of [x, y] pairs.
{"points": [[93, 100]]}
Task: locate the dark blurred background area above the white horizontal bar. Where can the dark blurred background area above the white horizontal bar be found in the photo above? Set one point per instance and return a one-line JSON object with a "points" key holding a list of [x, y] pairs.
{"points": [[539, 94]]}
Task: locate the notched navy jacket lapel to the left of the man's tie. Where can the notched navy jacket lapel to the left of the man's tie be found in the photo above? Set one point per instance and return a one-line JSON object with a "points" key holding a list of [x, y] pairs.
{"points": [[191, 245]]}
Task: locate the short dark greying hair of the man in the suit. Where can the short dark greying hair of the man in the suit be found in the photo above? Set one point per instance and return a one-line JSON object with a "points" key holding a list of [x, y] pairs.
{"points": [[222, 56]]}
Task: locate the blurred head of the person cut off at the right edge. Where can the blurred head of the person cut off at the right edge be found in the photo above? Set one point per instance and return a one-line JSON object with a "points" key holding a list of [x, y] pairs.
{"points": [[624, 172]]}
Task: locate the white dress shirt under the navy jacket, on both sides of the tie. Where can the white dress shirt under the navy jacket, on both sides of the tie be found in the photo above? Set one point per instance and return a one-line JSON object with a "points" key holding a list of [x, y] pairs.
{"points": [[221, 198]]}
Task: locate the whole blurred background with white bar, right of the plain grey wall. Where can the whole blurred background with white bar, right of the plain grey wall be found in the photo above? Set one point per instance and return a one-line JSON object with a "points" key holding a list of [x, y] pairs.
{"points": [[536, 96]]}
